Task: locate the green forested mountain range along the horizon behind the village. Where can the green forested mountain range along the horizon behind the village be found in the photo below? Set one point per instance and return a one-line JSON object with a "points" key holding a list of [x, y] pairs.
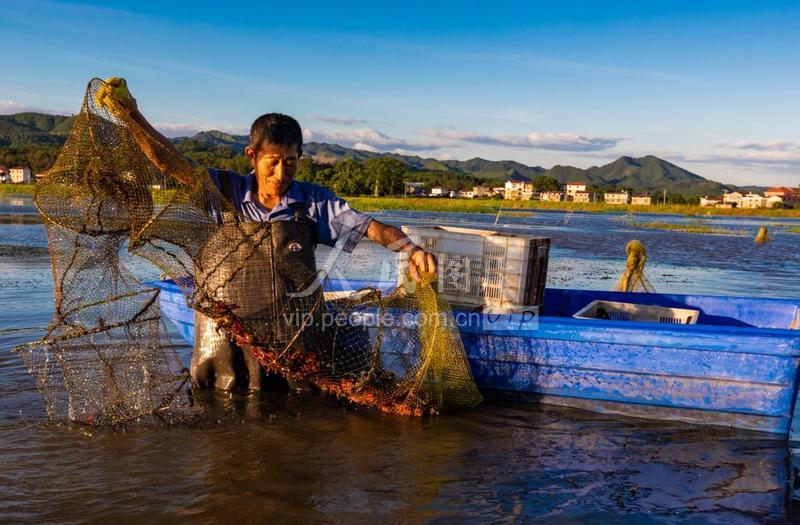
{"points": [[647, 173]]}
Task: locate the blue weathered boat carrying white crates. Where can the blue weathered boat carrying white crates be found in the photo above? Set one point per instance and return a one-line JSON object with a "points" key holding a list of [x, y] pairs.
{"points": [[736, 367]]}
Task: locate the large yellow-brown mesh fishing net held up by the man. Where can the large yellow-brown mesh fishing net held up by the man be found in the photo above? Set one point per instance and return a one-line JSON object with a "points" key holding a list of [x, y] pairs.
{"points": [[107, 357]]}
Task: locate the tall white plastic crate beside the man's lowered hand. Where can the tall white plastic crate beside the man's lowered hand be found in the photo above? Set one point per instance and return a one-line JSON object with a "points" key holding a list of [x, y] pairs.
{"points": [[499, 272]]}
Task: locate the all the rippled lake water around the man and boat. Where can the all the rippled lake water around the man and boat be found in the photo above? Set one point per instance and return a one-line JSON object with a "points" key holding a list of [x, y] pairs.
{"points": [[289, 458]]}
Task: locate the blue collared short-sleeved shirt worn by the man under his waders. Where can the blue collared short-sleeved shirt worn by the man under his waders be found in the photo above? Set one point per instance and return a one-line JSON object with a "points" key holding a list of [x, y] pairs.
{"points": [[338, 225]]}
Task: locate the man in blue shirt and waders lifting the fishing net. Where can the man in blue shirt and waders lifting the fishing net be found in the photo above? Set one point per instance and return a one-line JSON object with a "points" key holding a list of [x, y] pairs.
{"points": [[270, 193]]}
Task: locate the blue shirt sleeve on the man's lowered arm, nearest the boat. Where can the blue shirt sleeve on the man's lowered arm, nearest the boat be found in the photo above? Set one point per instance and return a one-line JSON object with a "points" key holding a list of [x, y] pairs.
{"points": [[339, 225]]}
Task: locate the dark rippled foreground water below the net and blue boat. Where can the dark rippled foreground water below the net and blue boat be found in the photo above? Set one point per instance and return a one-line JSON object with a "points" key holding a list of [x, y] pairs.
{"points": [[292, 458]]}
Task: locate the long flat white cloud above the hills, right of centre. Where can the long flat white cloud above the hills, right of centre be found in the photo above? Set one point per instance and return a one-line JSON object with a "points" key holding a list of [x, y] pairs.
{"points": [[536, 140]]}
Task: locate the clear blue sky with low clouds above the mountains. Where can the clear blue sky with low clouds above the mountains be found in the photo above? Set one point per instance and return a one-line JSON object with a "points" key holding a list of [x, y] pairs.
{"points": [[711, 86]]}
